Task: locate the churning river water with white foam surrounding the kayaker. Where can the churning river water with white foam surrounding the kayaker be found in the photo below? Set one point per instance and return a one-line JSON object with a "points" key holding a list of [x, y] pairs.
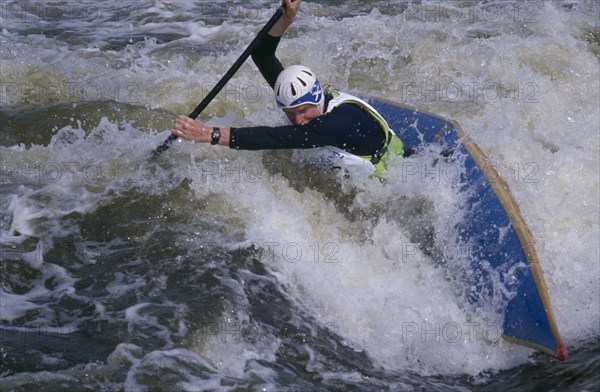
{"points": [[213, 269]]}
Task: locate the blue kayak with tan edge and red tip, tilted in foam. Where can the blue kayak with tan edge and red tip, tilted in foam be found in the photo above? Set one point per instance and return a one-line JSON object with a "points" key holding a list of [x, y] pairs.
{"points": [[500, 243]]}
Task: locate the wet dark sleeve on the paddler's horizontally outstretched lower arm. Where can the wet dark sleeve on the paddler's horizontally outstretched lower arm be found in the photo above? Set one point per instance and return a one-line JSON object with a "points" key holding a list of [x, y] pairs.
{"points": [[347, 127]]}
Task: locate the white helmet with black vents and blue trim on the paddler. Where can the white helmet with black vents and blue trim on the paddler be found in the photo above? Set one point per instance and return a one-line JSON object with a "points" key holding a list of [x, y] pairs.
{"points": [[297, 85]]}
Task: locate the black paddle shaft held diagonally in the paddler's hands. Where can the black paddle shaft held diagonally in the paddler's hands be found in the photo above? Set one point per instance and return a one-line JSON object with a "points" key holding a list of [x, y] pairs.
{"points": [[219, 86]]}
